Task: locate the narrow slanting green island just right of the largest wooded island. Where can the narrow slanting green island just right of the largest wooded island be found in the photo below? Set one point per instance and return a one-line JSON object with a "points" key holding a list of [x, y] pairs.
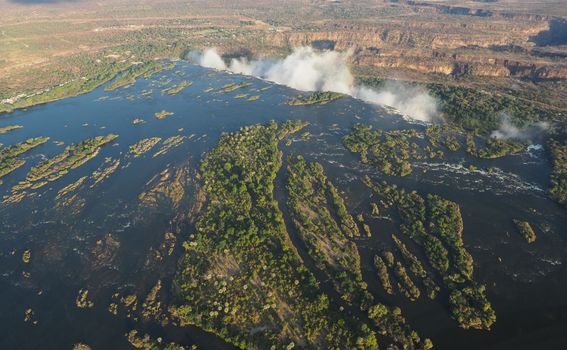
{"points": [[314, 204]]}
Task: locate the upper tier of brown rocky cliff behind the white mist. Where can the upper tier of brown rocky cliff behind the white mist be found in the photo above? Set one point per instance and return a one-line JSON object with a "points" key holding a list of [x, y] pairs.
{"points": [[414, 33]]}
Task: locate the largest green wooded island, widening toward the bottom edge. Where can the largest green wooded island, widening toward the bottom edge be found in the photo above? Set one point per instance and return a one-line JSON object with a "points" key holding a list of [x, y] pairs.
{"points": [[240, 277]]}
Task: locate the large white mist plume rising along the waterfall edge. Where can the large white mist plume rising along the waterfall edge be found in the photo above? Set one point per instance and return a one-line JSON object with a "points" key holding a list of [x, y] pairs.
{"points": [[307, 69]]}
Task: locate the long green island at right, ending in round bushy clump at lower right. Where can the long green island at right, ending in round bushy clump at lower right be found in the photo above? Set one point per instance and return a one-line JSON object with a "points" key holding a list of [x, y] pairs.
{"points": [[435, 224]]}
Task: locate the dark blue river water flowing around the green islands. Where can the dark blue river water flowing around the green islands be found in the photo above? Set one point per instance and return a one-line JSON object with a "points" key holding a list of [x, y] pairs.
{"points": [[525, 283]]}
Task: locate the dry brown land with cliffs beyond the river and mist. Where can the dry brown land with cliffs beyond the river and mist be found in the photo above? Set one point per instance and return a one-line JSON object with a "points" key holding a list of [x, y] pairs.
{"points": [[510, 47]]}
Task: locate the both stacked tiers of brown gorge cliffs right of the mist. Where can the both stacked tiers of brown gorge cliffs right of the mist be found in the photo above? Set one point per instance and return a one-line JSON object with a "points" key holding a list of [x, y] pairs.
{"points": [[476, 47]]}
